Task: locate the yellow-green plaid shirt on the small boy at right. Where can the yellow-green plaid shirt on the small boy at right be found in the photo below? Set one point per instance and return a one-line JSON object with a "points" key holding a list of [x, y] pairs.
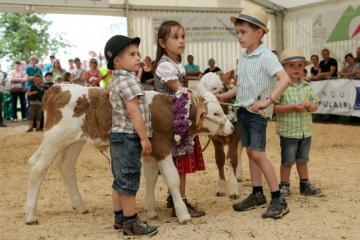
{"points": [[296, 124]]}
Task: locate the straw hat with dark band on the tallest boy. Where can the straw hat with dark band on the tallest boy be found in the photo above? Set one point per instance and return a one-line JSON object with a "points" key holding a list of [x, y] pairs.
{"points": [[254, 15]]}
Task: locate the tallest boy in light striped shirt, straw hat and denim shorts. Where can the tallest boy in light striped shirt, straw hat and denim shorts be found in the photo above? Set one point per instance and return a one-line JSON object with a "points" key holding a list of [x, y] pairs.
{"points": [[257, 71]]}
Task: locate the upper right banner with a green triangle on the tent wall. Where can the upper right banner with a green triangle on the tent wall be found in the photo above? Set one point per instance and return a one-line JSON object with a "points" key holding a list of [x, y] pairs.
{"points": [[337, 24]]}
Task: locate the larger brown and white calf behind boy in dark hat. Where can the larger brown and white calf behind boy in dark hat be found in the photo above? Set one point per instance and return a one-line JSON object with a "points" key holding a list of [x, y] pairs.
{"points": [[76, 114]]}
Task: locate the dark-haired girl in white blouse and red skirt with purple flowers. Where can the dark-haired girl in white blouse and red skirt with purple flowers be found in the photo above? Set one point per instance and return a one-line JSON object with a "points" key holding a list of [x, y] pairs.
{"points": [[170, 79]]}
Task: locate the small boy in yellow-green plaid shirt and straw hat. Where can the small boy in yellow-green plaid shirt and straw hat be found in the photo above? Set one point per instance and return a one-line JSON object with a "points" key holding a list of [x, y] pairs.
{"points": [[293, 123]]}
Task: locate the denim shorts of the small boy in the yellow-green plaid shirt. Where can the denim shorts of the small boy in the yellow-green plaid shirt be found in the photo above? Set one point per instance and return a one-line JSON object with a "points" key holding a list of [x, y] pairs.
{"points": [[294, 150]]}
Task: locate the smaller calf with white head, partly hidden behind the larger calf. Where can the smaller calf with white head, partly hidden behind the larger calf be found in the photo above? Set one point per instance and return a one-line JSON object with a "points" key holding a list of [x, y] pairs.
{"points": [[214, 83]]}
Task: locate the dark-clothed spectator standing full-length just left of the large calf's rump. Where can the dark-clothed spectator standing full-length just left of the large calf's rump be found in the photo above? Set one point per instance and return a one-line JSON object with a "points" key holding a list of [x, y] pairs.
{"points": [[35, 95]]}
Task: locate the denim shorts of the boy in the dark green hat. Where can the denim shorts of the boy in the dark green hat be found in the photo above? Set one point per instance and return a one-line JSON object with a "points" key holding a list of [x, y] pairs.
{"points": [[125, 150]]}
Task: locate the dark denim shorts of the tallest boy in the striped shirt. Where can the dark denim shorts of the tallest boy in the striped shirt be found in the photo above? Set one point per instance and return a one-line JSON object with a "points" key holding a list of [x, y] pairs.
{"points": [[252, 128]]}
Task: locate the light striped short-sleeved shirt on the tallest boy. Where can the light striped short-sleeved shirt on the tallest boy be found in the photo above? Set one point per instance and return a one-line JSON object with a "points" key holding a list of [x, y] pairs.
{"points": [[256, 77]]}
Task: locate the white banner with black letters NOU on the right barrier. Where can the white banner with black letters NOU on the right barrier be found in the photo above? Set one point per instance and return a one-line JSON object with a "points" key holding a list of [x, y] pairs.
{"points": [[340, 97]]}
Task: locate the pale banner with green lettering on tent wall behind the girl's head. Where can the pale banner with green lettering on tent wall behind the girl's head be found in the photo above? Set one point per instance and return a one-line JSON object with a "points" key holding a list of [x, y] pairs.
{"points": [[207, 28]]}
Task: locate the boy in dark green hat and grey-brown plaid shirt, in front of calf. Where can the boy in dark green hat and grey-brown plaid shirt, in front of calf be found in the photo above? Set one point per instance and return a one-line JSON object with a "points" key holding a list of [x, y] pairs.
{"points": [[129, 137]]}
